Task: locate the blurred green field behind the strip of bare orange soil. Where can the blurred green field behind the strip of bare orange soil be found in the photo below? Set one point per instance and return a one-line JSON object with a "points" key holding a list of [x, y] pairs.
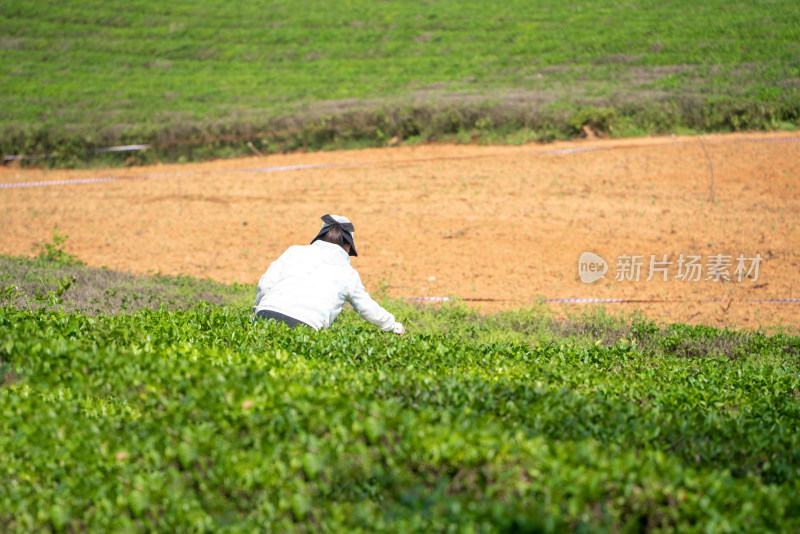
{"points": [[78, 75]]}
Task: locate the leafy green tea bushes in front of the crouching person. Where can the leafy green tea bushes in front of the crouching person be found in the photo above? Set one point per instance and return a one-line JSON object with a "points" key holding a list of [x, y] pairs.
{"points": [[200, 420]]}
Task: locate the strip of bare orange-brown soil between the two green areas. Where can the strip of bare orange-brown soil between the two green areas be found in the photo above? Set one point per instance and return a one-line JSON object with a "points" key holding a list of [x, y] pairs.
{"points": [[503, 225]]}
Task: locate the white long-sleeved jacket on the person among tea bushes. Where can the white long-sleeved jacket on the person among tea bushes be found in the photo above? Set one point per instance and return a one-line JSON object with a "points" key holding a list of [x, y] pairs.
{"points": [[310, 283]]}
